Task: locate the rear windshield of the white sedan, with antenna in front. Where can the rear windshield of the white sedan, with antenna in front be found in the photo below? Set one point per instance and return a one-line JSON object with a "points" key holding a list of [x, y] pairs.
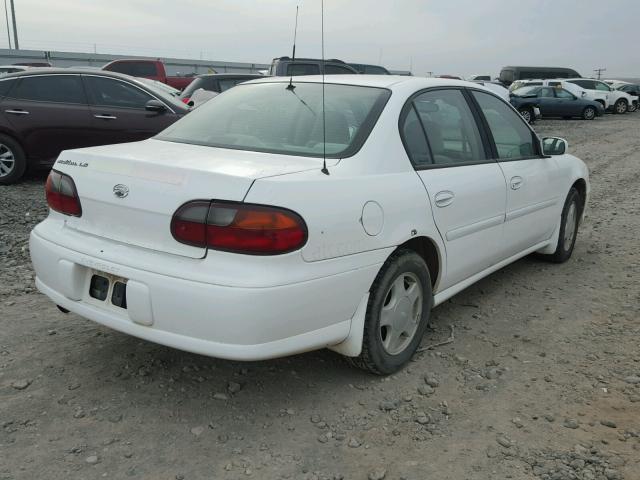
{"points": [[269, 117]]}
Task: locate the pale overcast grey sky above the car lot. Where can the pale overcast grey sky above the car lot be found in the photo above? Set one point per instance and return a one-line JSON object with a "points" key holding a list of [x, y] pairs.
{"points": [[459, 37]]}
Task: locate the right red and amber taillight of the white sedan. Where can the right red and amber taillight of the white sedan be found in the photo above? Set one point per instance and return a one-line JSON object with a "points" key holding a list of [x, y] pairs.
{"points": [[239, 227]]}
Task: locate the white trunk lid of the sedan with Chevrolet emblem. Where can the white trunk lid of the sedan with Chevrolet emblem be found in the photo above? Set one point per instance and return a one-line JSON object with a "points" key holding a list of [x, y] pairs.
{"points": [[129, 192]]}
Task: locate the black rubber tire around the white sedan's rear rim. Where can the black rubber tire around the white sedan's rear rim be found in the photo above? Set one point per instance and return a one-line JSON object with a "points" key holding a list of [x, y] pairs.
{"points": [[374, 357]]}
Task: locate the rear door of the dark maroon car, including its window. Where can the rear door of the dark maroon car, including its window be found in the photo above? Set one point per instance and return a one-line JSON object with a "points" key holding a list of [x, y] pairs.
{"points": [[49, 113]]}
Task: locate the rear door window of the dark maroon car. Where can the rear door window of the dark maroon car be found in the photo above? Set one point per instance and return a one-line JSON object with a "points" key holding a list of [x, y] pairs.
{"points": [[50, 88]]}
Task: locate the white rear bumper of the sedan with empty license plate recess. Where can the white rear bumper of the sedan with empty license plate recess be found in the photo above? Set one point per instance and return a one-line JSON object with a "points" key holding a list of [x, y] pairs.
{"points": [[237, 323]]}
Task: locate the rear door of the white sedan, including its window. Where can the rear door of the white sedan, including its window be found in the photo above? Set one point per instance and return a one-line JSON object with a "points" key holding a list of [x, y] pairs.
{"points": [[465, 187]]}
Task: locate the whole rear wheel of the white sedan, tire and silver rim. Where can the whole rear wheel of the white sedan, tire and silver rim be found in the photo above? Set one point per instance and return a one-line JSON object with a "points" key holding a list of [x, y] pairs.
{"points": [[397, 315]]}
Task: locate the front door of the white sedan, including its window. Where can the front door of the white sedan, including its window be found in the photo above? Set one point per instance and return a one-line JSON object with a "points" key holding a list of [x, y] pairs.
{"points": [[533, 183]]}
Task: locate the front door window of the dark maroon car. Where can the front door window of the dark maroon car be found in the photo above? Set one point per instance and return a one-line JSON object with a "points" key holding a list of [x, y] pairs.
{"points": [[109, 92]]}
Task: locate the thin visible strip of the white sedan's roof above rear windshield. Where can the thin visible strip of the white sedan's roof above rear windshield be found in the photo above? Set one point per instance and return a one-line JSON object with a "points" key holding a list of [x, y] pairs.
{"points": [[380, 81]]}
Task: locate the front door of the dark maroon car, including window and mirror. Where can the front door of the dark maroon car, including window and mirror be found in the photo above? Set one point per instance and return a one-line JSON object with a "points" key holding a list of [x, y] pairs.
{"points": [[118, 111]]}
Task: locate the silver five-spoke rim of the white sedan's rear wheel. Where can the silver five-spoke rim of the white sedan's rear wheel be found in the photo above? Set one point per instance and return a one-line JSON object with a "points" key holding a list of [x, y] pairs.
{"points": [[401, 312]]}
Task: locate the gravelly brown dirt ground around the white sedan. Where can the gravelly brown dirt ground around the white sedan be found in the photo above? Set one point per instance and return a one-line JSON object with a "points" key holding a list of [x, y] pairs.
{"points": [[541, 382]]}
